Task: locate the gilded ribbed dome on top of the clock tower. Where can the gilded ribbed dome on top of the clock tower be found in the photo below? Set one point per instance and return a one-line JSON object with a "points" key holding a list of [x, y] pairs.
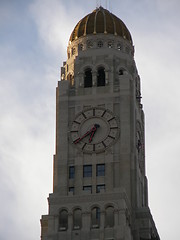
{"points": [[100, 21]]}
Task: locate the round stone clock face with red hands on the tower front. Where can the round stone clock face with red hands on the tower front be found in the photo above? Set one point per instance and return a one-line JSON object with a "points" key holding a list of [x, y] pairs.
{"points": [[94, 130]]}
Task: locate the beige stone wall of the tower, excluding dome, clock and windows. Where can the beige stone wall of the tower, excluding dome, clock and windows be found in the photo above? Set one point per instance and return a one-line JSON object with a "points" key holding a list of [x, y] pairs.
{"points": [[125, 180]]}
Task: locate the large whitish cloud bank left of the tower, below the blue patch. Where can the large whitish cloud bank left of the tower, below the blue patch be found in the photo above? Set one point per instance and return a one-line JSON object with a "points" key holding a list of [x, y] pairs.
{"points": [[27, 139]]}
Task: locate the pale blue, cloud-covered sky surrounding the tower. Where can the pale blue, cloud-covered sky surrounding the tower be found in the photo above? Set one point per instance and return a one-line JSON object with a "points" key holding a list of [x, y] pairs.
{"points": [[33, 39]]}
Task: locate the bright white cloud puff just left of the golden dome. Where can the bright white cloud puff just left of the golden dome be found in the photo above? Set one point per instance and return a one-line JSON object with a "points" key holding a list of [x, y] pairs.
{"points": [[54, 23]]}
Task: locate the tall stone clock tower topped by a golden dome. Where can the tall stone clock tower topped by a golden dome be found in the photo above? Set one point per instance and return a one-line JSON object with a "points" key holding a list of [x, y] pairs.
{"points": [[100, 185]]}
